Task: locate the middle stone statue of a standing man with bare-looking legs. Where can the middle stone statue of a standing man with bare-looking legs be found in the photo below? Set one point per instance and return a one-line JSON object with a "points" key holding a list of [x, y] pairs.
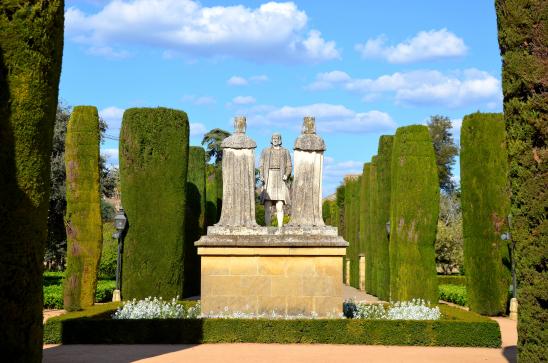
{"points": [[274, 169]]}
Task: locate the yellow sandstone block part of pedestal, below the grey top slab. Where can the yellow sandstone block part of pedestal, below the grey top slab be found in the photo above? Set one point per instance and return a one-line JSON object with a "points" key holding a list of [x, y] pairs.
{"points": [[263, 280]]}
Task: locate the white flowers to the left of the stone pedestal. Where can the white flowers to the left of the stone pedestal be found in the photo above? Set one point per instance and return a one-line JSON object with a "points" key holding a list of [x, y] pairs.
{"points": [[156, 308]]}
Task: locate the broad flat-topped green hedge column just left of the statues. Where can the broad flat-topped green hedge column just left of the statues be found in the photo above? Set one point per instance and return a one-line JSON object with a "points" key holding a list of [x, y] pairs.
{"points": [[153, 175]]}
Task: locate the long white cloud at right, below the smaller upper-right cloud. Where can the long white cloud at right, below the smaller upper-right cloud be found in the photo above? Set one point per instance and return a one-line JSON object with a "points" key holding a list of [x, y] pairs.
{"points": [[423, 87]]}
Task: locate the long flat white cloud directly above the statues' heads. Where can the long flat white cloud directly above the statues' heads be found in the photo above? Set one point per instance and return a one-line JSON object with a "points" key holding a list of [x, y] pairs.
{"points": [[329, 118]]}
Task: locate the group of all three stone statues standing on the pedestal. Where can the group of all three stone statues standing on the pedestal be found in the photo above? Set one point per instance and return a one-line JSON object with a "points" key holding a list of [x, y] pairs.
{"points": [[275, 169]]}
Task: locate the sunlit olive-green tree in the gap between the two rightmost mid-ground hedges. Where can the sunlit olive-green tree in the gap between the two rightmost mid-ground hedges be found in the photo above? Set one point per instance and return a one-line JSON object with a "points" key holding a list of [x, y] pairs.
{"points": [[449, 239]]}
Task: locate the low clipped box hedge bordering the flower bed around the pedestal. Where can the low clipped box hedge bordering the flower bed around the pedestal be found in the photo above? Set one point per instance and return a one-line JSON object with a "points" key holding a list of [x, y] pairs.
{"points": [[458, 328]]}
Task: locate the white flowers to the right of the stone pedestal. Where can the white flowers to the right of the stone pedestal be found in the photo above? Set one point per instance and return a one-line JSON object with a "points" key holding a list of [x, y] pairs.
{"points": [[416, 309]]}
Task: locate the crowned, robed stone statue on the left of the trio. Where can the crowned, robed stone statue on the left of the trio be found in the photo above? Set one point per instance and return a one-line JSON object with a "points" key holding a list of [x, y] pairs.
{"points": [[238, 178]]}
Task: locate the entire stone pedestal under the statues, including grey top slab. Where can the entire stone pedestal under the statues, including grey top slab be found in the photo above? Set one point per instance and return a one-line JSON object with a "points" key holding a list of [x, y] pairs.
{"points": [[288, 271]]}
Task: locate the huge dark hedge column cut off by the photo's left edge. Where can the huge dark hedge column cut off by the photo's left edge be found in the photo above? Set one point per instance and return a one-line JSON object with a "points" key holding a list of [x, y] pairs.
{"points": [[31, 48]]}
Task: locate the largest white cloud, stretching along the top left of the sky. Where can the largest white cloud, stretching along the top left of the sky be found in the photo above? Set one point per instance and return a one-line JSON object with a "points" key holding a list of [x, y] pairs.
{"points": [[272, 32]]}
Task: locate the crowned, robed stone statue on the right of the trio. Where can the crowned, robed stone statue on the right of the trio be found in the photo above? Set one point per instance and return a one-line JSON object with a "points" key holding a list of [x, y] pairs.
{"points": [[307, 184]]}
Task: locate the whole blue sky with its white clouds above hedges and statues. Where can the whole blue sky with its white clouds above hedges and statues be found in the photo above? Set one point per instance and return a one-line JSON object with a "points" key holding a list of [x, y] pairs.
{"points": [[362, 68]]}
